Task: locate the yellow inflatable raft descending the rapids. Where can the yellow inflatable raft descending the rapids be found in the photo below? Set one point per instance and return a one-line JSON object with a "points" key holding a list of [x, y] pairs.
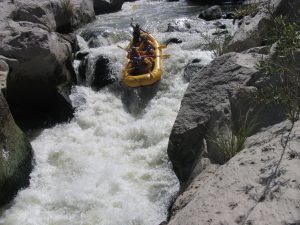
{"points": [[147, 78]]}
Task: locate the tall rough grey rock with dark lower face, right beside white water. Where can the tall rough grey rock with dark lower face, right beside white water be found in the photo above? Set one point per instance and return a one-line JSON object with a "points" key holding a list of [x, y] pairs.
{"points": [[211, 87]]}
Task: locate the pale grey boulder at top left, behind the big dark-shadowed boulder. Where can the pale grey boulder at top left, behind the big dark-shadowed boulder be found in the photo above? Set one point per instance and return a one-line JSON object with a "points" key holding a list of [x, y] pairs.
{"points": [[62, 16]]}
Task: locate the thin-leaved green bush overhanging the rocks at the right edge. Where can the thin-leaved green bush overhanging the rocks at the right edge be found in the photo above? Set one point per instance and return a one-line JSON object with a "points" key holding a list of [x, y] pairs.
{"points": [[284, 77]]}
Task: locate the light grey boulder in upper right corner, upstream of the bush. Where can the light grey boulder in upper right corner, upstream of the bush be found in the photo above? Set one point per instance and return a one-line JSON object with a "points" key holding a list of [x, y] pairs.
{"points": [[254, 30]]}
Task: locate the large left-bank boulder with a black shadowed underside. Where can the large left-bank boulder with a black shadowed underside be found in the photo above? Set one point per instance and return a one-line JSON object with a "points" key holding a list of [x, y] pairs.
{"points": [[36, 86]]}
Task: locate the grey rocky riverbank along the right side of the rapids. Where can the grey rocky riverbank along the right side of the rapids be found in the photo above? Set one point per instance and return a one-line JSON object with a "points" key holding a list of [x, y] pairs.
{"points": [[244, 190]]}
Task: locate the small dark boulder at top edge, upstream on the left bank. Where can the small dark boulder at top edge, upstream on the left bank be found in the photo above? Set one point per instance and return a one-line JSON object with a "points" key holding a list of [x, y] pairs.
{"points": [[106, 6]]}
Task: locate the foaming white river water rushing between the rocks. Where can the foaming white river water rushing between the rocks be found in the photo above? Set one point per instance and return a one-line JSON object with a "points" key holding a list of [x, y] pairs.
{"points": [[109, 166]]}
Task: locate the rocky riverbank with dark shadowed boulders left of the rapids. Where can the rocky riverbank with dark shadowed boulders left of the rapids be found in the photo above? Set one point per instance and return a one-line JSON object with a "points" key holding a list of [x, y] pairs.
{"points": [[36, 54]]}
